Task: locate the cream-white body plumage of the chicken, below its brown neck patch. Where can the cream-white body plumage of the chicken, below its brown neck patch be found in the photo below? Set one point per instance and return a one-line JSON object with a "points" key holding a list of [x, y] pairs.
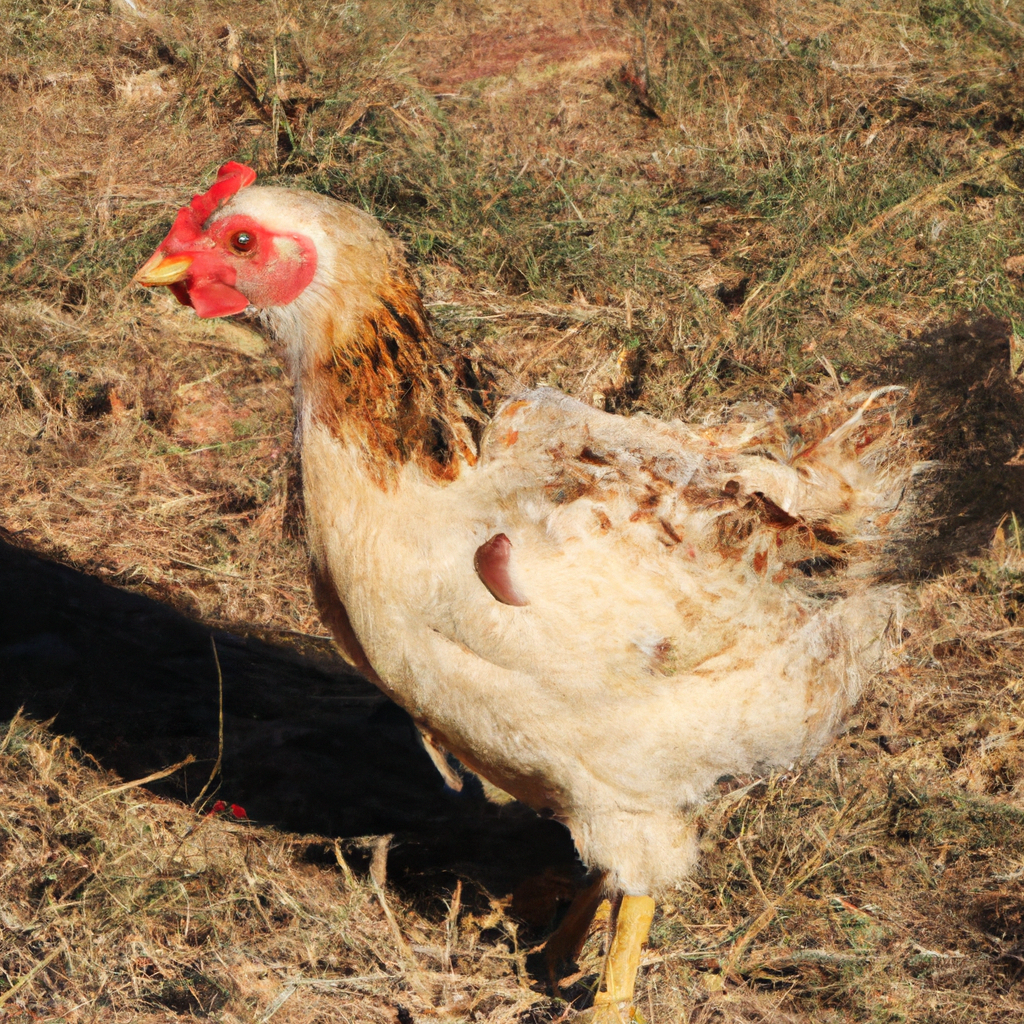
{"points": [[649, 661]]}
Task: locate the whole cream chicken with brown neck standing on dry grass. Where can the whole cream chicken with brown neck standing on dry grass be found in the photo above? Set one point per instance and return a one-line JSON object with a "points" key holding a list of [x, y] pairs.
{"points": [[602, 615]]}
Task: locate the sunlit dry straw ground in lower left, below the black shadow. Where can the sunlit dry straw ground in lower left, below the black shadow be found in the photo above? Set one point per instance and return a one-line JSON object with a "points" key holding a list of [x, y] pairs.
{"points": [[117, 906]]}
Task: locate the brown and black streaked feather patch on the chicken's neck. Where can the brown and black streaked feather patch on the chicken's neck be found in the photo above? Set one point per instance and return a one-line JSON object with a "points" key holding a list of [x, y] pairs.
{"points": [[383, 385]]}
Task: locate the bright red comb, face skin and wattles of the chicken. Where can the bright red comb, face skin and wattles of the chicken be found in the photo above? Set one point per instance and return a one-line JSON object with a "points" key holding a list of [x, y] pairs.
{"points": [[225, 278]]}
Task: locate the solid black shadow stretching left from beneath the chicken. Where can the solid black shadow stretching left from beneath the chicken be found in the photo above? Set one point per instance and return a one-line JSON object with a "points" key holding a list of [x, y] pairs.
{"points": [[310, 746]]}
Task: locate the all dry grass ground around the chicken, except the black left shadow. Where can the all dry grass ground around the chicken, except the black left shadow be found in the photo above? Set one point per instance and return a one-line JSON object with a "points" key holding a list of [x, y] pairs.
{"points": [[654, 206]]}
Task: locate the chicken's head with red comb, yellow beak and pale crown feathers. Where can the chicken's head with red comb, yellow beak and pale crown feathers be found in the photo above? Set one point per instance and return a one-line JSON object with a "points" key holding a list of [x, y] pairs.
{"points": [[279, 251]]}
